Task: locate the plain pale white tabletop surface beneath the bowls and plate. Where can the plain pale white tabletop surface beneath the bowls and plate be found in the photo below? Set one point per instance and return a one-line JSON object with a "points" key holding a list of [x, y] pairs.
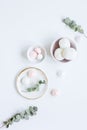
{"points": [[22, 21]]}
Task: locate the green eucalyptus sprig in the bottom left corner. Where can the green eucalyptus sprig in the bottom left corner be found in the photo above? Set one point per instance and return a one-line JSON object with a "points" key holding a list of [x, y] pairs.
{"points": [[31, 111]]}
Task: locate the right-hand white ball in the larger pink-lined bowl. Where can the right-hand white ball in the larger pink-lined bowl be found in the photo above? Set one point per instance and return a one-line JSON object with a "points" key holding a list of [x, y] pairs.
{"points": [[69, 53]]}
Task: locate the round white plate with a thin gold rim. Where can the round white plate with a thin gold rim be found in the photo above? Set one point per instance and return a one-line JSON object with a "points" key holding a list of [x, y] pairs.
{"points": [[39, 75]]}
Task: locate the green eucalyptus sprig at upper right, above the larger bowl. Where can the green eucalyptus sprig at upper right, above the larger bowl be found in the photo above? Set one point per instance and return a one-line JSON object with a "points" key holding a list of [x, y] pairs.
{"points": [[73, 25]]}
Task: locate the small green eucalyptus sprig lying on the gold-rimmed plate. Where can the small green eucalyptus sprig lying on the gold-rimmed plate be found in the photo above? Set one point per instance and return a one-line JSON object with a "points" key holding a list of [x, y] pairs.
{"points": [[36, 86]]}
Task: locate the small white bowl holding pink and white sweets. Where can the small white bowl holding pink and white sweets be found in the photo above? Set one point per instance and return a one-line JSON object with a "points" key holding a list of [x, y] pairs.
{"points": [[35, 61]]}
